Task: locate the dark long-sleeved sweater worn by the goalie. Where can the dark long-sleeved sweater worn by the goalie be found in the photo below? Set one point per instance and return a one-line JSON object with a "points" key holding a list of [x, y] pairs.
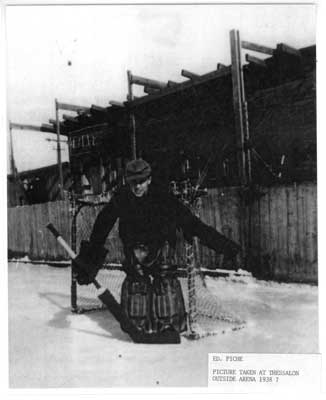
{"points": [[154, 219]]}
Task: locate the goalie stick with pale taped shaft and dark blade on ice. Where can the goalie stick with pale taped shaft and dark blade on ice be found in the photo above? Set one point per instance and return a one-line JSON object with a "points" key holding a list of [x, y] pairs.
{"points": [[115, 308]]}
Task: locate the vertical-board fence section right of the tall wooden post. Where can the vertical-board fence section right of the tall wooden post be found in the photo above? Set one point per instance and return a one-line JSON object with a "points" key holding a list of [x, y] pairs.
{"points": [[284, 233]]}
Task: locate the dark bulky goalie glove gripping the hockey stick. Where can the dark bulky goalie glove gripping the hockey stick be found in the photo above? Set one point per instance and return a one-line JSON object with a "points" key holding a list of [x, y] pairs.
{"points": [[88, 262]]}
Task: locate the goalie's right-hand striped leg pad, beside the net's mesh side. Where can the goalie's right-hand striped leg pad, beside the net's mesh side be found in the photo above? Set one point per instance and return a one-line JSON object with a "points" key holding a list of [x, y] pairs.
{"points": [[168, 303]]}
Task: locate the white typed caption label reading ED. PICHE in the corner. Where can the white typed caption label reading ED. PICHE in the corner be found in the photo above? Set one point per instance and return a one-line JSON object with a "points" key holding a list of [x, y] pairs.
{"points": [[245, 372]]}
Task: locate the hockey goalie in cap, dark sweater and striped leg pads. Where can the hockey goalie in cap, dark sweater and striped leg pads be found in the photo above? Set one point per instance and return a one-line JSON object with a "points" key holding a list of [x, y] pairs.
{"points": [[149, 218]]}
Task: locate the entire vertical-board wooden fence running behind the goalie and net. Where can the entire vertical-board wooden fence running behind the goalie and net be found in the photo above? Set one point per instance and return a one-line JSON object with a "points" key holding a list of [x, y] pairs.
{"points": [[282, 235]]}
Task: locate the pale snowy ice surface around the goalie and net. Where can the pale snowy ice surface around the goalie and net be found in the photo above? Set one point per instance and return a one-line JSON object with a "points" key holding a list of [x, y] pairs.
{"points": [[49, 347]]}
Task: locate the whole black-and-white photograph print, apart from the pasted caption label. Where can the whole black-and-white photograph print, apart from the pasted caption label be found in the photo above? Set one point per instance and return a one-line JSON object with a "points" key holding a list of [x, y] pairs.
{"points": [[161, 191]]}
